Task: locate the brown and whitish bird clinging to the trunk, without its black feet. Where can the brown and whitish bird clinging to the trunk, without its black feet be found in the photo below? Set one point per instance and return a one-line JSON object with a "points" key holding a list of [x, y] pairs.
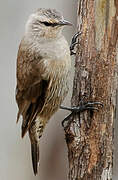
{"points": [[43, 68]]}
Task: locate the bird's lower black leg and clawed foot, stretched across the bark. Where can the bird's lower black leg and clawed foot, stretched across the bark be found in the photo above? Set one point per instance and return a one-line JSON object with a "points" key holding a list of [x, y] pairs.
{"points": [[83, 107]]}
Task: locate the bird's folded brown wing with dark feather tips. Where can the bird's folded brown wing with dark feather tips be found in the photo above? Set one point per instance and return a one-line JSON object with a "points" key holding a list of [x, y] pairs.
{"points": [[31, 88]]}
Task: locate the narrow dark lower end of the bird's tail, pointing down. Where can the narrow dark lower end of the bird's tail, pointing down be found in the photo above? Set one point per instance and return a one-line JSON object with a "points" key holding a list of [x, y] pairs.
{"points": [[35, 157]]}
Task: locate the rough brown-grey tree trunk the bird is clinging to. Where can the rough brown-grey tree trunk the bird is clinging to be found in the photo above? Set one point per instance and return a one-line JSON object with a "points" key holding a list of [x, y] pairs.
{"points": [[90, 135]]}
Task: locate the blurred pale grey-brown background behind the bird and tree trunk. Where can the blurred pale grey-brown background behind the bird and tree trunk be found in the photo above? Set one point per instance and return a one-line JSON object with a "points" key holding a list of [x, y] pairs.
{"points": [[15, 159]]}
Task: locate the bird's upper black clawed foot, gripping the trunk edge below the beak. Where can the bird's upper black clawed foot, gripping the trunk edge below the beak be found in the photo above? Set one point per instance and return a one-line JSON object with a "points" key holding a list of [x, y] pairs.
{"points": [[74, 42]]}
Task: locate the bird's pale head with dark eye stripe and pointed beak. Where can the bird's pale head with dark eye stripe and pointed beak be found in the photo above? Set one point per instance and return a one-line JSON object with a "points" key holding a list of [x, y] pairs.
{"points": [[46, 23]]}
